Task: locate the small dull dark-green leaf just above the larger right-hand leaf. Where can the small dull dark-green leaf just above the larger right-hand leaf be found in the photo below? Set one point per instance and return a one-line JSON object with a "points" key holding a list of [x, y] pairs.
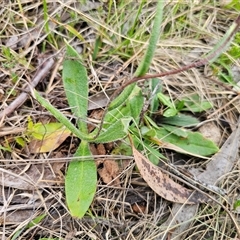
{"points": [[181, 120]]}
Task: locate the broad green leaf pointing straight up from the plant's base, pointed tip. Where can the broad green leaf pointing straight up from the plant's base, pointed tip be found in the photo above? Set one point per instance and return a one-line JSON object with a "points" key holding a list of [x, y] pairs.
{"points": [[75, 82]]}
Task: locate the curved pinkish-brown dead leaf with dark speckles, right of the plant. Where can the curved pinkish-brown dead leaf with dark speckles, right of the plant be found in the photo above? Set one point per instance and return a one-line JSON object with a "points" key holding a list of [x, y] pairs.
{"points": [[163, 185]]}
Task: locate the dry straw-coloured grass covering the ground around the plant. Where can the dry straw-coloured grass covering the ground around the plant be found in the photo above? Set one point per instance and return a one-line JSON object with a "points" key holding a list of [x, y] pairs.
{"points": [[131, 210]]}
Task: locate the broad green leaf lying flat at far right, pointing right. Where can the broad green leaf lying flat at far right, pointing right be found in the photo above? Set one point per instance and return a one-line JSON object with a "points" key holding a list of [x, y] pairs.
{"points": [[194, 142]]}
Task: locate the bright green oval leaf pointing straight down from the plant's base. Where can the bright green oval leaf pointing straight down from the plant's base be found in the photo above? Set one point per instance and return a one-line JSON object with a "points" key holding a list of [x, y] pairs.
{"points": [[81, 182]]}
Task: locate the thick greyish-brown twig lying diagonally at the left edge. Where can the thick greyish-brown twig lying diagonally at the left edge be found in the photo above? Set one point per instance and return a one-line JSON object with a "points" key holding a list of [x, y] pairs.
{"points": [[38, 76]]}
